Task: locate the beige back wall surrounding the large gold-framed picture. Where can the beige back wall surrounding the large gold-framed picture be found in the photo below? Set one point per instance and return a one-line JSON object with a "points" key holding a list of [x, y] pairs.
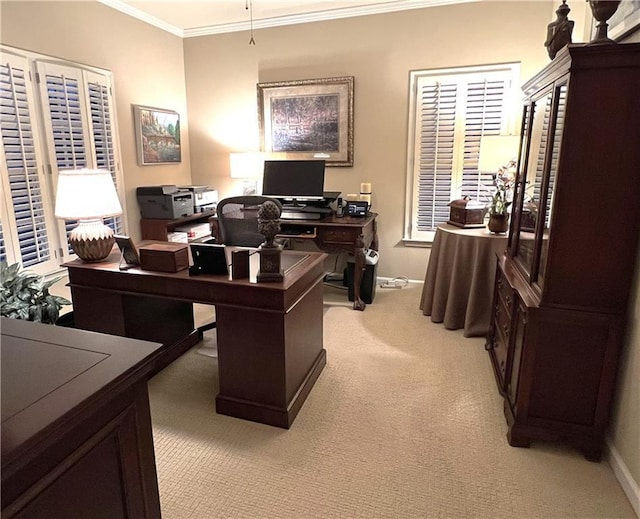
{"points": [[379, 50]]}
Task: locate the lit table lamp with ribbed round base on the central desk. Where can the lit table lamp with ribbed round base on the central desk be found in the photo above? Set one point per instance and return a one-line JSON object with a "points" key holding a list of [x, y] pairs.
{"points": [[88, 195]]}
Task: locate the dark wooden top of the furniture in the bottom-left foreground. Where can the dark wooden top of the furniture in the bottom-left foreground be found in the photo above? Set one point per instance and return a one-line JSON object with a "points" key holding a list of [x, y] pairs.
{"points": [[48, 370]]}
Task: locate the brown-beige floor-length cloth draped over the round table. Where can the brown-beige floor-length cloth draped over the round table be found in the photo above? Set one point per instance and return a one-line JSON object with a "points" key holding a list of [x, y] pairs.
{"points": [[458, 286]]}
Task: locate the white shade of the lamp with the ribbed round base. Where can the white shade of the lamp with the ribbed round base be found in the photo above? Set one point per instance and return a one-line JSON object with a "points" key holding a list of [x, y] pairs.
{"points": [[86, 194]]}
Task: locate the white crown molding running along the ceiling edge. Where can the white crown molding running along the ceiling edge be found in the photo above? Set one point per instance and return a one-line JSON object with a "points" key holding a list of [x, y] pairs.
{"points": [[318, 16]]}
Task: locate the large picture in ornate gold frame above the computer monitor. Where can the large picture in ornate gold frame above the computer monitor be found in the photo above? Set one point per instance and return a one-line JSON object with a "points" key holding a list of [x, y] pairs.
{"points": [[308, 119]]}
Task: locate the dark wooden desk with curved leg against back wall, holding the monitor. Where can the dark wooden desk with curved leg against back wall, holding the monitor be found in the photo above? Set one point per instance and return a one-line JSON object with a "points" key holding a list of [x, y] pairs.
{"points": [[334, 235]]}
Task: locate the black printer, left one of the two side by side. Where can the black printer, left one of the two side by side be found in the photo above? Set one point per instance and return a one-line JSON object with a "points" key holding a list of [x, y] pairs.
{"points": [[166, 202]]}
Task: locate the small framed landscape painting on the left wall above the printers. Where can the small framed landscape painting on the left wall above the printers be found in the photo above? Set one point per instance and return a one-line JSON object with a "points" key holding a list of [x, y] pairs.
{"points": [[157, 135]]}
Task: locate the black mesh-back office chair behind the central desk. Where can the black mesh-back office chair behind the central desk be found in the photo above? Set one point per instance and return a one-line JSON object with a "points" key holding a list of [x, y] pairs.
{"points": [[238, 225]]}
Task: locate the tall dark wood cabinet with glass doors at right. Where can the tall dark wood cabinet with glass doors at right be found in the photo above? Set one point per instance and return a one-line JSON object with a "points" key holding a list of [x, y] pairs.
{"points": [[562, 287]]}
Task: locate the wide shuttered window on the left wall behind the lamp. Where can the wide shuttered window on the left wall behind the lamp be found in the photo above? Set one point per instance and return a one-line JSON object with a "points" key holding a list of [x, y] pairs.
{"points": [[54, 115]]}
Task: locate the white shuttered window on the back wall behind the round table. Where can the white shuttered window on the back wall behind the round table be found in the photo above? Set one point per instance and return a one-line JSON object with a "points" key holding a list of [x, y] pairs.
{"points": [[450, 111]]}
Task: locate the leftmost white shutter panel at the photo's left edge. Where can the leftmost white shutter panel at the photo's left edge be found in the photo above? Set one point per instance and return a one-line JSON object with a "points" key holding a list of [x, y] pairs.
{"points": [[26, 221]]}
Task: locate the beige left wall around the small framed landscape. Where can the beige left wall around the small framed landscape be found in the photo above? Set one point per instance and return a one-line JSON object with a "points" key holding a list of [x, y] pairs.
{"points": [[147, 64]]}
